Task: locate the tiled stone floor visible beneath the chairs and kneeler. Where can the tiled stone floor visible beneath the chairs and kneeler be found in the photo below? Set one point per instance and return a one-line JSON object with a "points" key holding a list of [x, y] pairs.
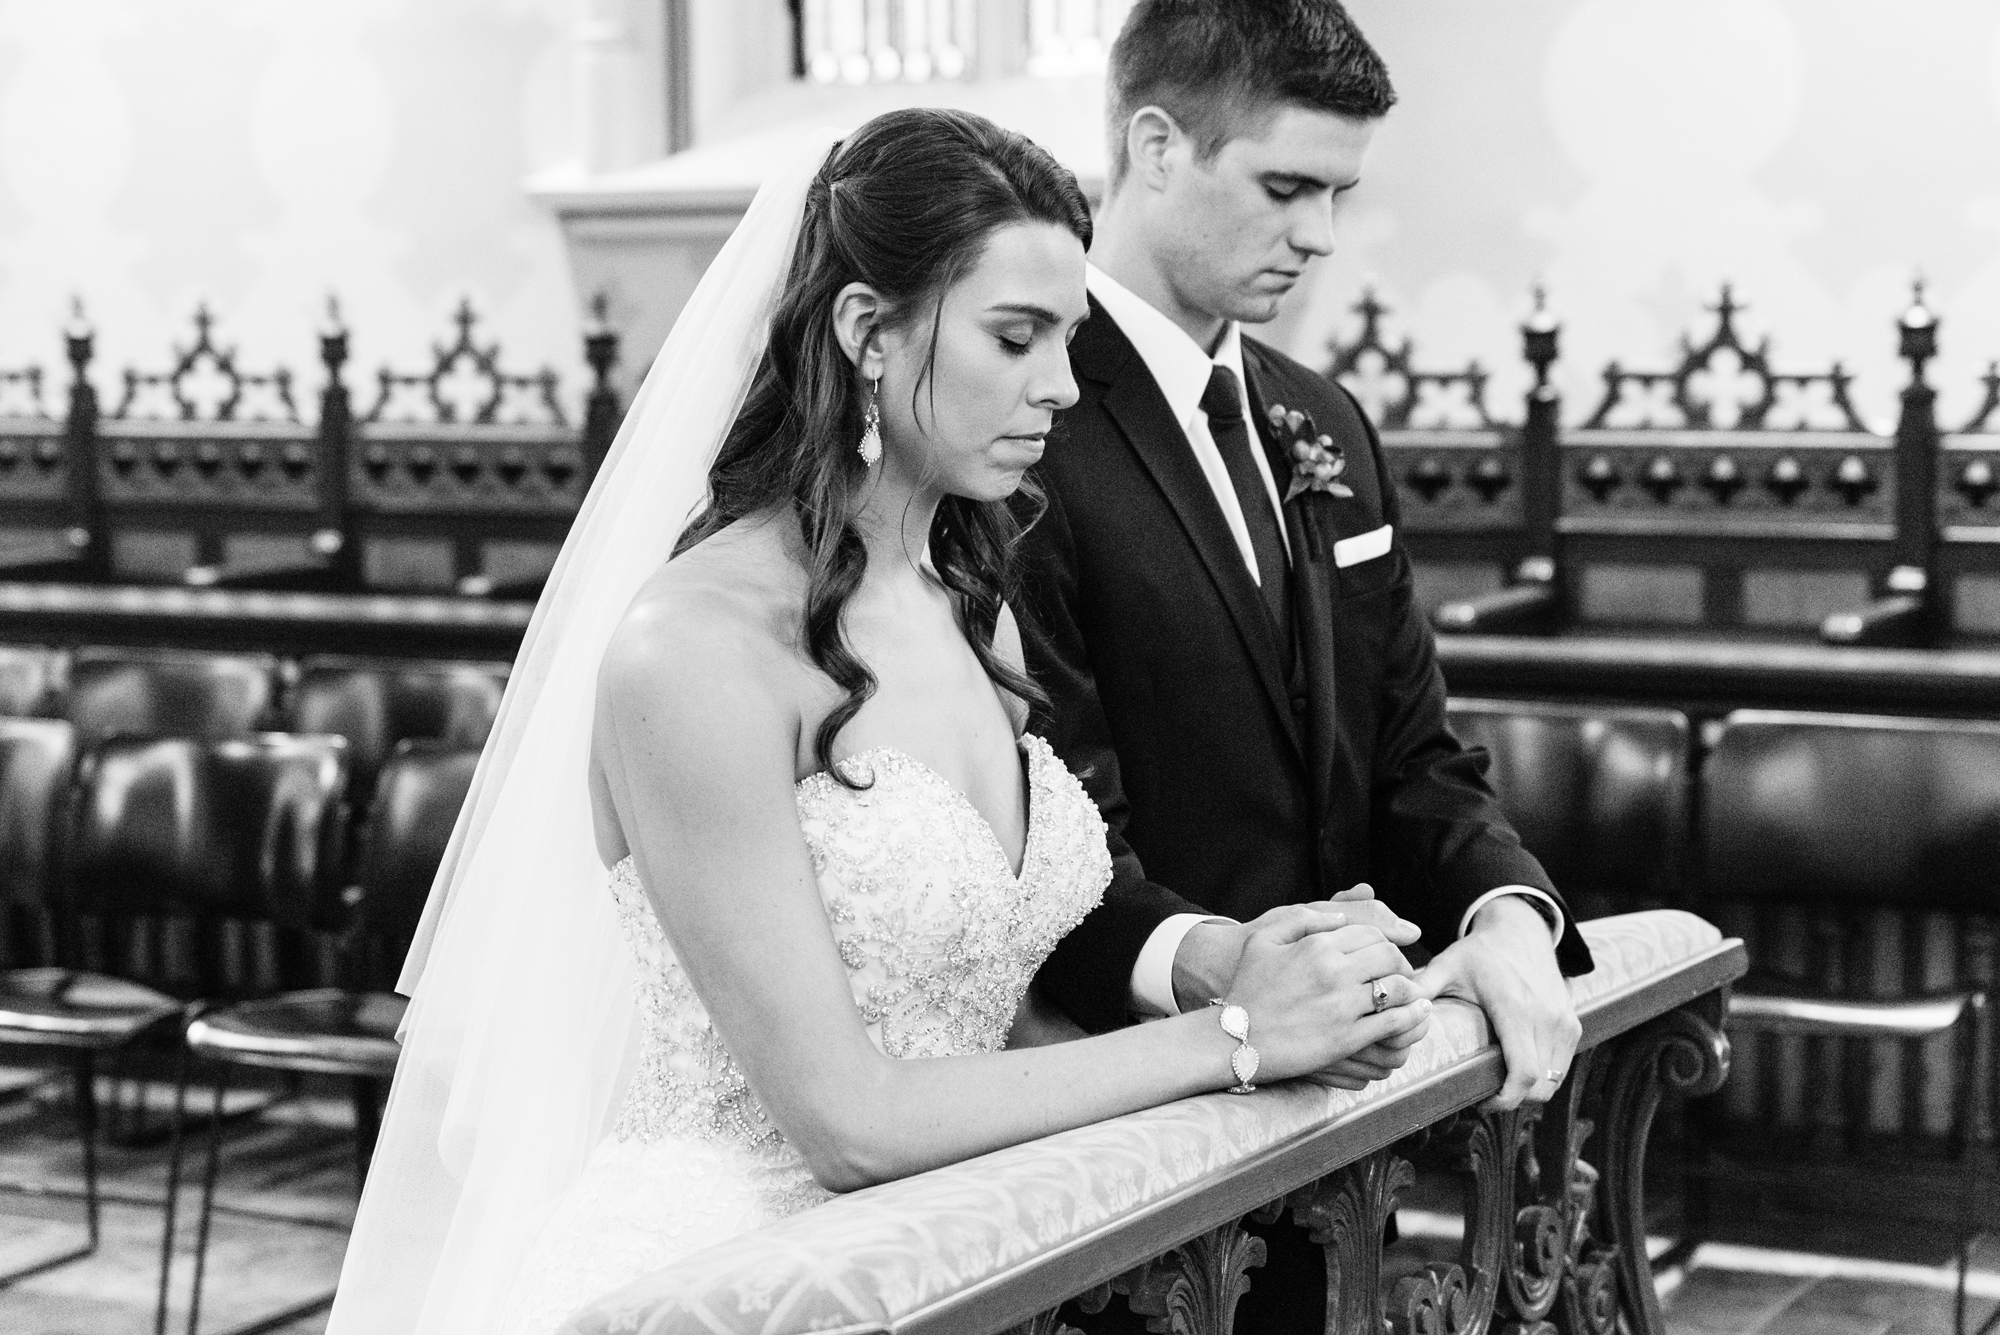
{"points": [[287, 1198]]}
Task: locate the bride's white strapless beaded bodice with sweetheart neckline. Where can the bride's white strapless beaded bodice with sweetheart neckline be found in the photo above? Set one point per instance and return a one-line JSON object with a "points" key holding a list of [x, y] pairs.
{"points": [[937, 932]]}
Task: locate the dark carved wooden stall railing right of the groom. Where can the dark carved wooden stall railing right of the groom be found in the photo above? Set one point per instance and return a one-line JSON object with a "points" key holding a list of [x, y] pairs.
{"points": [[1723, 491]]}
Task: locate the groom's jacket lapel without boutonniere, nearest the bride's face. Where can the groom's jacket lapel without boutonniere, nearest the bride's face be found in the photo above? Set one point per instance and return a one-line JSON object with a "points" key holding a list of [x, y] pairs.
{"points": [[1135, 405]]}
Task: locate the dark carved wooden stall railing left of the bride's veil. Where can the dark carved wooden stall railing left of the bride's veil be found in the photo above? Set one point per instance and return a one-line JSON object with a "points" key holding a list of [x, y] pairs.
{"points": [[457, 479]]}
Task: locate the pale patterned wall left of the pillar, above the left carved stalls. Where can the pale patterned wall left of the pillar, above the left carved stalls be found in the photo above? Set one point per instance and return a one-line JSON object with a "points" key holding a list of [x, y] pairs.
{"points": [[263, 153]]}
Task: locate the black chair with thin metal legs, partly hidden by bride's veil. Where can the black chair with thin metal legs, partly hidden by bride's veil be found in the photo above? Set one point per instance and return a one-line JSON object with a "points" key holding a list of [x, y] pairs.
{"points": [[343, 1032]]}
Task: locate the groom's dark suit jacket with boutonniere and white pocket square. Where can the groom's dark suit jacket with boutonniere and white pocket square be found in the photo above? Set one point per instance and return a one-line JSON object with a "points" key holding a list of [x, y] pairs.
{"points": [[1233, 782]]}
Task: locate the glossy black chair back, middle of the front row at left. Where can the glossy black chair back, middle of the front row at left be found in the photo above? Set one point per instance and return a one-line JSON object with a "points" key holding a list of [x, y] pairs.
{"points": [[249, 828]]}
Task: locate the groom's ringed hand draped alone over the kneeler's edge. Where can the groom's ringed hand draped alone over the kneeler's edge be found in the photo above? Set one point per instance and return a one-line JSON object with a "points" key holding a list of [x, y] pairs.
{"points": [[1507, 966]]}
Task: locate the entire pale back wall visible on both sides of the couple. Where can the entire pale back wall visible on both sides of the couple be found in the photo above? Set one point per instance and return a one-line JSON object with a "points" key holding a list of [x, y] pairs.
{"points": [[1629, 153]]}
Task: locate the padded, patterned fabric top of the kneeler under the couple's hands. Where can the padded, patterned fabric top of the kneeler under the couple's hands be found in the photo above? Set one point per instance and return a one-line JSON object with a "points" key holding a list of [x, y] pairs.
{"points": [[935, 1250]]}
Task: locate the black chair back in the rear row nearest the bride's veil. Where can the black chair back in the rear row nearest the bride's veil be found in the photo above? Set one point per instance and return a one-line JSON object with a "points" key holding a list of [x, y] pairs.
{"points": [[377, 704]]}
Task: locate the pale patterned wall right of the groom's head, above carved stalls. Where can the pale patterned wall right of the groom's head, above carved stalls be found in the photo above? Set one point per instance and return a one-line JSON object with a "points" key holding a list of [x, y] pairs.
{"points": [[1637, 153]]}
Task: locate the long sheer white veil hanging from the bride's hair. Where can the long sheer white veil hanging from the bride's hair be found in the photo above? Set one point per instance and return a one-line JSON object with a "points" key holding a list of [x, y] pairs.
{"points": [[521, 1030]]}
